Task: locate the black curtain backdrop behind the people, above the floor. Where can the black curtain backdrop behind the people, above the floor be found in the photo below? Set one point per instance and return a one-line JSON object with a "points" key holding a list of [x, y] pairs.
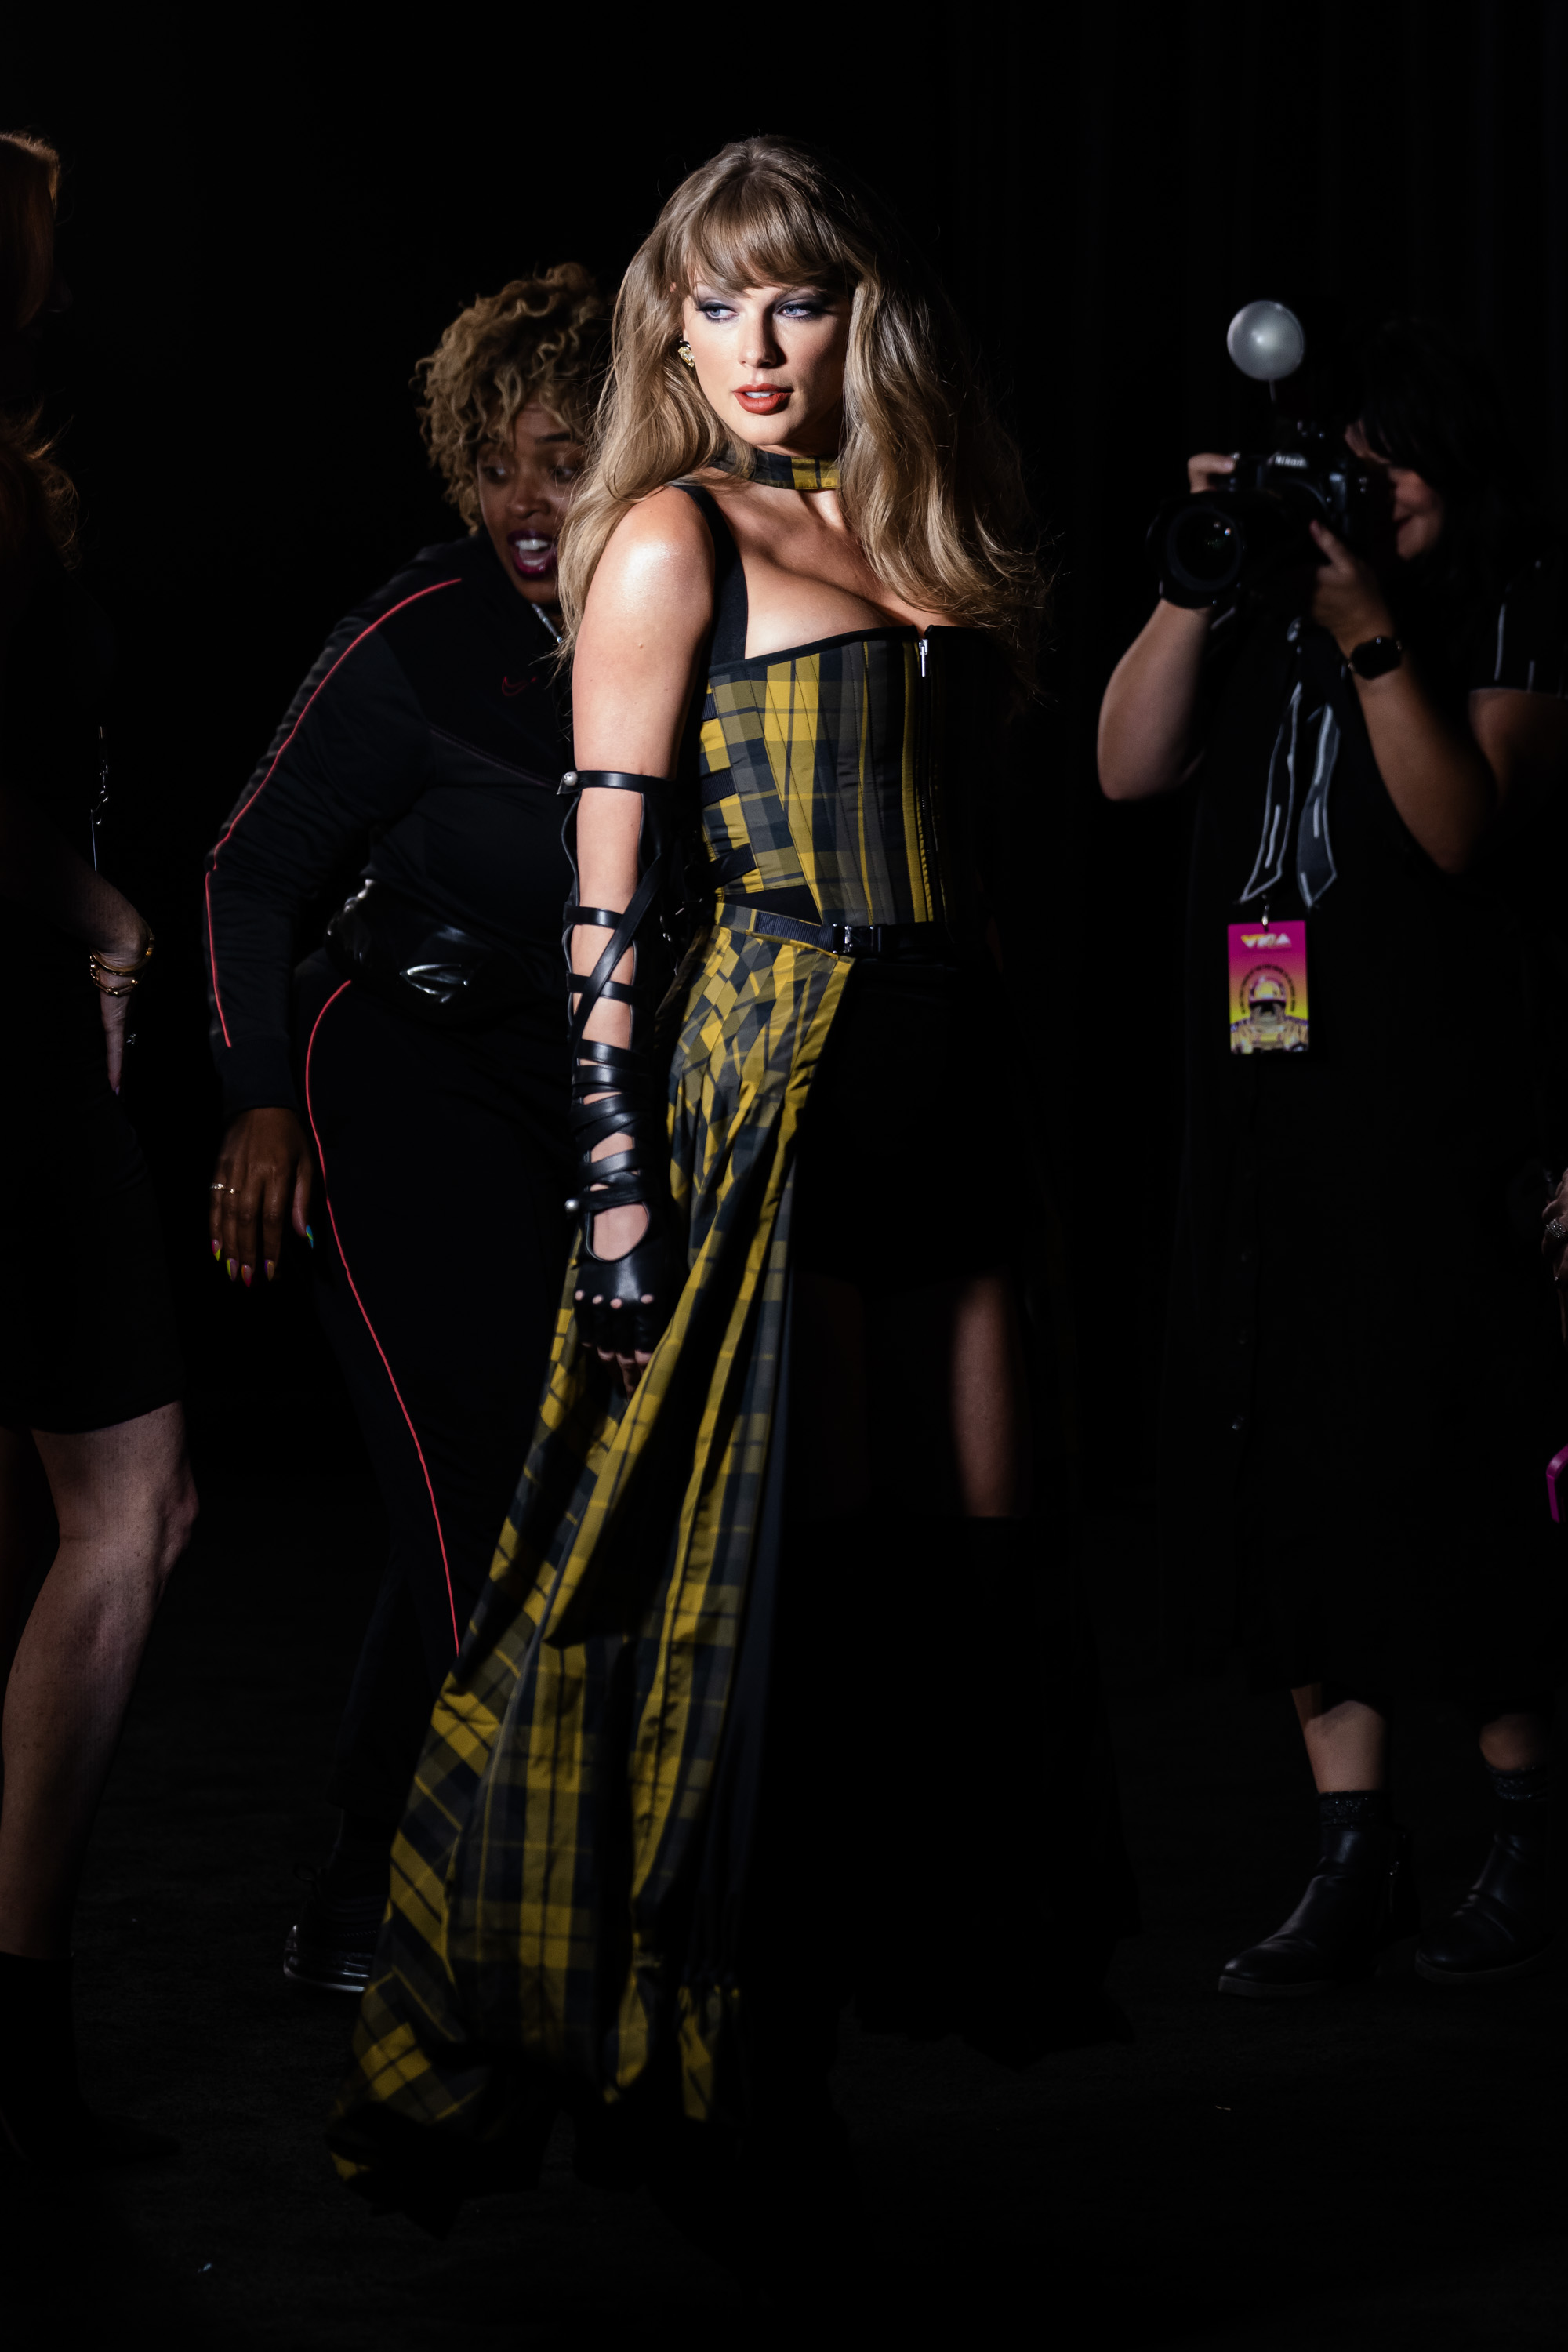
{"points": [[267, 227]]}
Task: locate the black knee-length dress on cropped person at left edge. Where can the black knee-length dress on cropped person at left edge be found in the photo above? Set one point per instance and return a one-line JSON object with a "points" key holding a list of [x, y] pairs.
{"points": [[86, 1318]]}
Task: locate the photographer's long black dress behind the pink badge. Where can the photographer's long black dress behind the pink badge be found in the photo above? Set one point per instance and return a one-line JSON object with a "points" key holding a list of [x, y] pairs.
{"points": [[1365, 1372]]}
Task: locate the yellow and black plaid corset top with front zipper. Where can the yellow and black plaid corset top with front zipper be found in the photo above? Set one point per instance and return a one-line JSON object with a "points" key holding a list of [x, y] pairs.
{"points": [[819, 780]]}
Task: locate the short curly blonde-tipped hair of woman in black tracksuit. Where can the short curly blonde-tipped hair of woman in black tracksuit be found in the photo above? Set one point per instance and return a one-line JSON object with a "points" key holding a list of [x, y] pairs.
{"points": [[537, 340]]}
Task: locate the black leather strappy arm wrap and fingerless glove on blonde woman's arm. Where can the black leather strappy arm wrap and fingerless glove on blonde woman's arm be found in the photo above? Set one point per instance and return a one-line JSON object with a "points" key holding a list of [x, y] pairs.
{"points": [[626, 1302]]}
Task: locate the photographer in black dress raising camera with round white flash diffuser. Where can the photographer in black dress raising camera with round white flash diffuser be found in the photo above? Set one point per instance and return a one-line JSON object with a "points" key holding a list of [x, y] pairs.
{"points": [[1365, 1377]]}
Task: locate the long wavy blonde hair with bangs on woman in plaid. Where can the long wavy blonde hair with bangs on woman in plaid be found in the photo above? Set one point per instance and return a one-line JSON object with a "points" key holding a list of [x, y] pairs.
{"points": [[930, 481]]}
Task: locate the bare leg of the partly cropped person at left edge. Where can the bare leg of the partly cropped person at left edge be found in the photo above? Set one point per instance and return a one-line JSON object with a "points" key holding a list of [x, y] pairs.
{"points": [[126, 1511]]}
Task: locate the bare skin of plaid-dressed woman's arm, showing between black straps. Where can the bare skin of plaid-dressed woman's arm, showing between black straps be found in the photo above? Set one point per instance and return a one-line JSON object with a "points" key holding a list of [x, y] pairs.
{"points": [[631, 690]]}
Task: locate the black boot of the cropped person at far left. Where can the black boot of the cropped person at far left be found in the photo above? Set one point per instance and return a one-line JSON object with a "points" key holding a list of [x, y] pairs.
{"points": [[43, 2116]]}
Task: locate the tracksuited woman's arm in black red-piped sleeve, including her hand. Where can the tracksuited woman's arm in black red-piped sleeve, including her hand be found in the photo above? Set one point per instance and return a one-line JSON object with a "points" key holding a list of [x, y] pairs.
{"points": [[349, 754]]}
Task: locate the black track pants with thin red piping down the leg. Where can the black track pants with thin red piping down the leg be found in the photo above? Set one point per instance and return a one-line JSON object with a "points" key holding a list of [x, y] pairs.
{"points": [[441, 1248]]}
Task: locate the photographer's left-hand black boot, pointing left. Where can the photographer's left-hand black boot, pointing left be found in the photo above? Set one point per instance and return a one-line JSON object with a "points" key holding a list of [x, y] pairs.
{"points": [[1358, 1904]]}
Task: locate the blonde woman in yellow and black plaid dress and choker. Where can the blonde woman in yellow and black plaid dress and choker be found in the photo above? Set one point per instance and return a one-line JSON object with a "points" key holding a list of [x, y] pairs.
{"points": [[779, 1695]]}
